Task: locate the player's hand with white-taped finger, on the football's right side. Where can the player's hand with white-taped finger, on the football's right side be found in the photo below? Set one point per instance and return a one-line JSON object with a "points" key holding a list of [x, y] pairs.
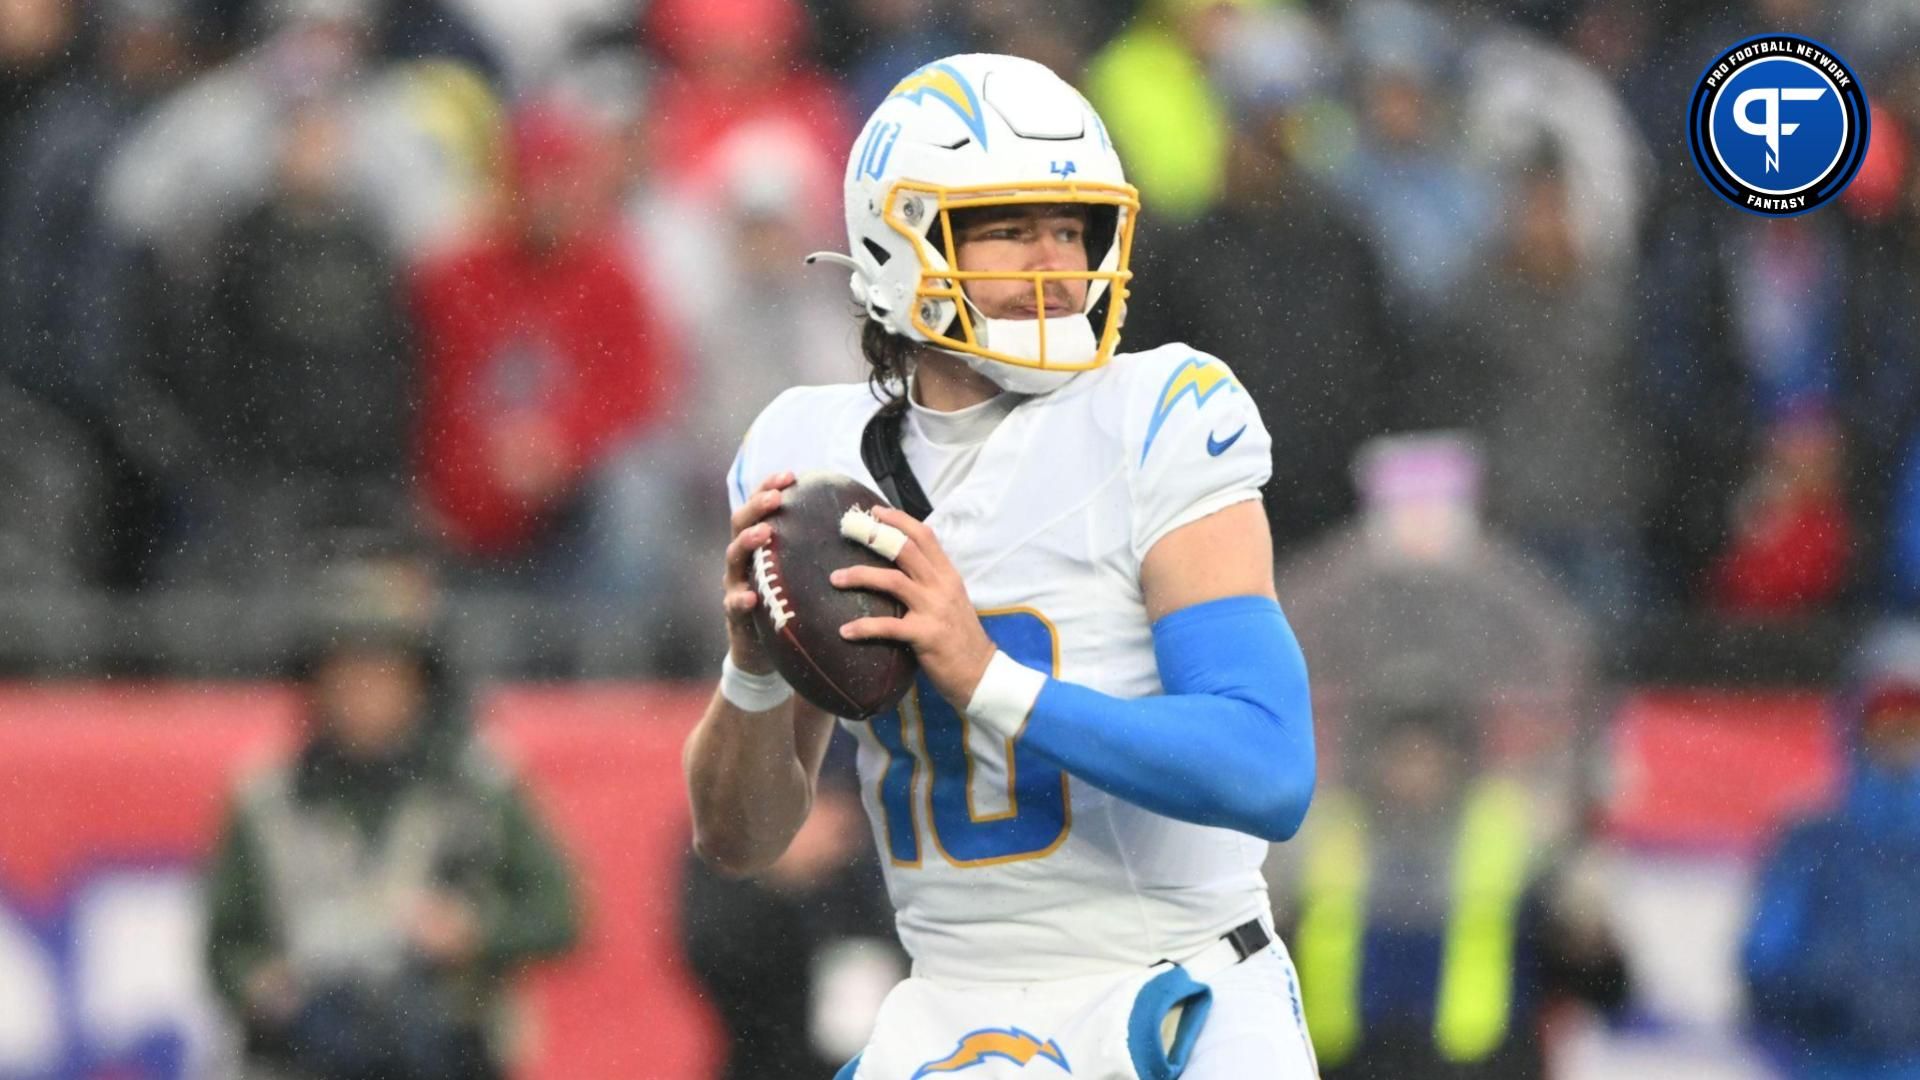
{"points": [[940, 620]]}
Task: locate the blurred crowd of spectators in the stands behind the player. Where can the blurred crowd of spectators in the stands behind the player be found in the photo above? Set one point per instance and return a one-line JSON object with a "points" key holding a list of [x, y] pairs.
{"points": [[512, 280]]}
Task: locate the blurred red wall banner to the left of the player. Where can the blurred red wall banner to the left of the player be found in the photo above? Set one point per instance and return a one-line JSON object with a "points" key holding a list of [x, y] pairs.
{"points": [[132, 781]]}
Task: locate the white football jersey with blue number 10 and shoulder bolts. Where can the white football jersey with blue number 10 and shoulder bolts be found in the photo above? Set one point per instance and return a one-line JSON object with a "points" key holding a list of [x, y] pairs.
{"points": [[999, 864]]}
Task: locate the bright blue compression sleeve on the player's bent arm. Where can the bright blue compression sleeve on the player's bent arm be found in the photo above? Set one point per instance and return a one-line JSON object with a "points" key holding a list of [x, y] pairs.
{"points": [[1230, 743]]}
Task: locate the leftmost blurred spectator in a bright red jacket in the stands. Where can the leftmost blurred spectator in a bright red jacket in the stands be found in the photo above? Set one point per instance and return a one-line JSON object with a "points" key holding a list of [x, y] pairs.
{"points": [[540, 356]]}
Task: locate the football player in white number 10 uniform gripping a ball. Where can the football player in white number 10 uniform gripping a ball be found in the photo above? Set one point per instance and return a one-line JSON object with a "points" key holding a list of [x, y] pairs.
{"points": [[1113, 716]]}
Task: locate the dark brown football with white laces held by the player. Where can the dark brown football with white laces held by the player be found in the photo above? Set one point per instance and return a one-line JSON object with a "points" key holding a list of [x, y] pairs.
{"points": [[802, 612]]}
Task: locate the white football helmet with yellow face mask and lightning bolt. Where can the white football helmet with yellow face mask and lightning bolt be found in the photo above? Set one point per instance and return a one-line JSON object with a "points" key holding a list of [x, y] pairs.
{"points": [[972, 132]]}
